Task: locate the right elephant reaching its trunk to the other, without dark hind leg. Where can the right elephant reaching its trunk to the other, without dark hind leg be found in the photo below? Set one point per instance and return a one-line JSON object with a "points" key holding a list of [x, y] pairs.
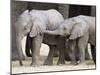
{"points": [[80, 31]]}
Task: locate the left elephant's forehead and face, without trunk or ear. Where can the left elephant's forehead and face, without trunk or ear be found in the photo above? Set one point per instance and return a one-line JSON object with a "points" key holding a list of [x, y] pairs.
{"points": [[23, 24]]}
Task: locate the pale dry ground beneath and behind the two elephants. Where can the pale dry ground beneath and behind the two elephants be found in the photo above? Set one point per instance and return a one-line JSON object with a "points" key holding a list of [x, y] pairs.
{"points": [[26, 68]]}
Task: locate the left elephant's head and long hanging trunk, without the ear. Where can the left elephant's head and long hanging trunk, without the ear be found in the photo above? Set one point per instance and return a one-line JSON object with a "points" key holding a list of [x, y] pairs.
{"points": [[22, 28]]}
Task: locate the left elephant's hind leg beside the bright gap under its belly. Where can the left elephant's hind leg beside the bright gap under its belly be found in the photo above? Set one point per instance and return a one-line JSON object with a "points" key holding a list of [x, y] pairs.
{"points": [[49, 60]]}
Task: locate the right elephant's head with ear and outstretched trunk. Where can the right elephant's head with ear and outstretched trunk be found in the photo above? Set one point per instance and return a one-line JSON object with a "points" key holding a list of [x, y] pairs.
{"points": [[73, 27]]}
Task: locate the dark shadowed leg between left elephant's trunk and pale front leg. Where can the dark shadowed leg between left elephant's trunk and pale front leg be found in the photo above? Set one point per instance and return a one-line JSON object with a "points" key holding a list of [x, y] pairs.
{"points": [[28, 46]]}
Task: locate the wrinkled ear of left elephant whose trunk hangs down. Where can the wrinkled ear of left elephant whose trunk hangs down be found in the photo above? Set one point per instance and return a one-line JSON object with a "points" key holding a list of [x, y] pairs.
{"points": [[37, 28]]}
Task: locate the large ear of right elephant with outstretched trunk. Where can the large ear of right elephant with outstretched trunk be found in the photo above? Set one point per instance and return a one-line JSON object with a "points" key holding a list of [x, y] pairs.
{"points": [[79, 29]]}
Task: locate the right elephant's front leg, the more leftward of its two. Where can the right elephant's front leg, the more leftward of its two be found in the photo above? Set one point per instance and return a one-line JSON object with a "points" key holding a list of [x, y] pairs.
{"points": [[72, 51]]}
